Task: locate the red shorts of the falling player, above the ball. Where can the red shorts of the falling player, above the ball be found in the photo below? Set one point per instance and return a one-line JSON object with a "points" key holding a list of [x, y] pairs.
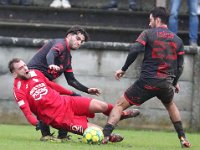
{"points": [[74, 116]]}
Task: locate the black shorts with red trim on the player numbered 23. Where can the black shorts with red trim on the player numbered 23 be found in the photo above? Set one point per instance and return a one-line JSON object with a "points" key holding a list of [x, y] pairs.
{"points": [[140, 92]]}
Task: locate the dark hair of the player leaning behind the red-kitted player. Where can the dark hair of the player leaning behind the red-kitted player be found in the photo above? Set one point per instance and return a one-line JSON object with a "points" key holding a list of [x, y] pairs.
{"points": [[76, 29]]}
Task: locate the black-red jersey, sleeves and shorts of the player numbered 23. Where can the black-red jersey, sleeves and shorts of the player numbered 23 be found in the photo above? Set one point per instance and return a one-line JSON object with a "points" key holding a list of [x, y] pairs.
{"points": [[161, 68]]}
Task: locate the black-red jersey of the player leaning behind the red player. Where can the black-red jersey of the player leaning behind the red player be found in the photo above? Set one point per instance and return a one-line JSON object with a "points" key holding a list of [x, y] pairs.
{"points": [[55, 52]]}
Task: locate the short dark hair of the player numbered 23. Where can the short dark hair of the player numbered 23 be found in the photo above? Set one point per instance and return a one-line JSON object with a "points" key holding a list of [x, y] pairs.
{"points": [[161, 13]]}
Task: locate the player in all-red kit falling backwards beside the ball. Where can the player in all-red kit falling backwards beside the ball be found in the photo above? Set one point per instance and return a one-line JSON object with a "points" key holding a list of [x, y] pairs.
{"points": [[35, 94]]}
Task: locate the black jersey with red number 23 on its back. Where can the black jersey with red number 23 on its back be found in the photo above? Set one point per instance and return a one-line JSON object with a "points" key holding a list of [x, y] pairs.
{"points": [[162, 48]]}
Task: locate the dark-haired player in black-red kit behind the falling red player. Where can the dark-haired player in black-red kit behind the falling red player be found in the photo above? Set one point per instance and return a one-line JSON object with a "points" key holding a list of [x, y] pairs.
{"points": [[54, 59]]}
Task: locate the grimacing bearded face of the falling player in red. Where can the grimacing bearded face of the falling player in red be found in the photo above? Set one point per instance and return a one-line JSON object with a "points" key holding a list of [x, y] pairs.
{"points": [[21, 70]]}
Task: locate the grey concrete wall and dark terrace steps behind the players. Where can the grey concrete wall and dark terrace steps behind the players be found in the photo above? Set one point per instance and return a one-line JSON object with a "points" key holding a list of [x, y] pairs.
{"points": [[26, 25]]}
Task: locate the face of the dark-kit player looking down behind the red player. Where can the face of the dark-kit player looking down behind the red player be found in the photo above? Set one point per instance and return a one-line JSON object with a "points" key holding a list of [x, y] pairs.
{"points": [[75, 40]]}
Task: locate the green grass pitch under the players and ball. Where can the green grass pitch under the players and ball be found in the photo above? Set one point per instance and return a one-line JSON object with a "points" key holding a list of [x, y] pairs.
{"points": [[14, 137]]}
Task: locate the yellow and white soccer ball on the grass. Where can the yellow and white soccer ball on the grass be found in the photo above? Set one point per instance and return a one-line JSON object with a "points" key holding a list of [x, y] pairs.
{"points": [[93, 135]]}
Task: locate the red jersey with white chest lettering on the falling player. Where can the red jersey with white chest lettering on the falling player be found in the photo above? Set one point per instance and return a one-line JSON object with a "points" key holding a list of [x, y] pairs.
{"points": [[40, 96]]}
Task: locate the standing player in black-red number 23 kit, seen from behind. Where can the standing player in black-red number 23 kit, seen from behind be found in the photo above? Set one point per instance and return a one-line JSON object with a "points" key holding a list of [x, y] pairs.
{"points": [[161, 68]]}
